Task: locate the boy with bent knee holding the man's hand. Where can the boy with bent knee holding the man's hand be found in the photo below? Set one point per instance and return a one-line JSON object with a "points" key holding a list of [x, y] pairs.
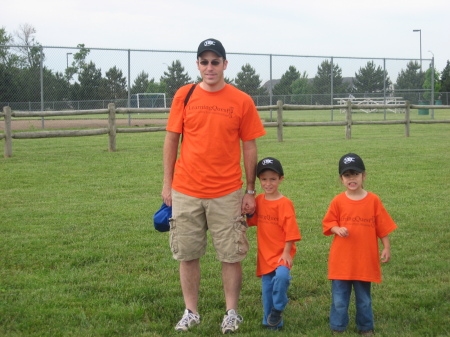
{"points": [[277, 233]]}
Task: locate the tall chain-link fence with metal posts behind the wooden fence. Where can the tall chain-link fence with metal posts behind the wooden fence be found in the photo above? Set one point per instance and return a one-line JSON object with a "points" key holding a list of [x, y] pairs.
{"points": [[58, 78]]}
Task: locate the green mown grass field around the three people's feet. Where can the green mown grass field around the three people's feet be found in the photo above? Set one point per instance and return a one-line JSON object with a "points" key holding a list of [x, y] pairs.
{"points": [[79, 255]]}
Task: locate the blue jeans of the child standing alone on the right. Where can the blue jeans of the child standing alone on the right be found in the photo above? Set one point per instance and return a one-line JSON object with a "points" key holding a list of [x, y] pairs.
{"points": [[341, 291]]}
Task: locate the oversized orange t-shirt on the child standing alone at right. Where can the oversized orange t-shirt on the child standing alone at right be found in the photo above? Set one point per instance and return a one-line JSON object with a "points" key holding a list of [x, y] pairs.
{"points": [[356, 257]]}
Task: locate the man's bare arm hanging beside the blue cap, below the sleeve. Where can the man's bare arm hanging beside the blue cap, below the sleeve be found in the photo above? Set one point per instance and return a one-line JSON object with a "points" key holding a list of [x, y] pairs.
{"points": [[170, 151]]}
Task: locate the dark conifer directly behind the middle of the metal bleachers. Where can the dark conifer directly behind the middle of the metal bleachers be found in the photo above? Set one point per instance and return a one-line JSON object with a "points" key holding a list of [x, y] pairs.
{"points": [[370, 79]]}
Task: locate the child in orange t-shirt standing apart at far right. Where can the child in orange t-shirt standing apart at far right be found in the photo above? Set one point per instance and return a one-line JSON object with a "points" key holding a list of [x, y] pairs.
{"points": [[357, 219]]}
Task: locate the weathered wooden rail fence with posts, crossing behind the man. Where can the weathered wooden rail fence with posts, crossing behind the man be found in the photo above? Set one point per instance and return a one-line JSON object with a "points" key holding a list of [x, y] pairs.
{"points": [[112, 129]]}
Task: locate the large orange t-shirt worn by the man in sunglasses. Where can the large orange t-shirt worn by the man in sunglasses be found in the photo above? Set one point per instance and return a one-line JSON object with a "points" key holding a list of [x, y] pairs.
{"points": [[213, 124]]}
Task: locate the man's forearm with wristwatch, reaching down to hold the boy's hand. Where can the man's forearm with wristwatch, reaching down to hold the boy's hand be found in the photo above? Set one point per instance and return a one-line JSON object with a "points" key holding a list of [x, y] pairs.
{"points": [[250, 154]]}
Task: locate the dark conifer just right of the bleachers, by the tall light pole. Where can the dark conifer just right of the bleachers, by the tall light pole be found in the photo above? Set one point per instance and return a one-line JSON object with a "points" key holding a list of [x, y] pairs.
{"points": [[408, 80]]}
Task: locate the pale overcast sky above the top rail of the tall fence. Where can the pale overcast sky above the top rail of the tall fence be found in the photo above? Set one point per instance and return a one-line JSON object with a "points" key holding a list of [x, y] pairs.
{"points": [[363, 28]]}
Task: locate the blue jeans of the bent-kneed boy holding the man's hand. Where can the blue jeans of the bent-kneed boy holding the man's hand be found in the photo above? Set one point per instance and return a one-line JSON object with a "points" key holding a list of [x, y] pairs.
{"points": [[274, 291]]}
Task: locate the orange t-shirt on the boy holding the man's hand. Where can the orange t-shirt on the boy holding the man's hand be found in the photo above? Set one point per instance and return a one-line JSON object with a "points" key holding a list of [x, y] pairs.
{"points": [[277, 224]]}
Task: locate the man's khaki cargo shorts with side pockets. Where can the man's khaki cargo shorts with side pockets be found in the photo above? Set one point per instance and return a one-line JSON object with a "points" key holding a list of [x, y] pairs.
{"points": [[193, 217]]}
